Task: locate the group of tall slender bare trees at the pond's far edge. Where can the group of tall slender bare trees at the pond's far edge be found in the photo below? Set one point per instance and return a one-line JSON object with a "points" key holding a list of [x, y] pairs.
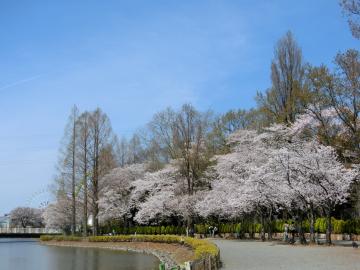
{"points": [[87, 153]]}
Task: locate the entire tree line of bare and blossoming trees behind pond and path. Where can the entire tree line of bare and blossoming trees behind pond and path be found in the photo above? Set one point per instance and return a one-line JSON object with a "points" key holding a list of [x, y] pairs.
{"points": [[295, 155]]}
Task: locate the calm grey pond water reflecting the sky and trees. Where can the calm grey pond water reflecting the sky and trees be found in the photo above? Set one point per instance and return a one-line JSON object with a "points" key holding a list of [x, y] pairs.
{"points": [[28, 254]]}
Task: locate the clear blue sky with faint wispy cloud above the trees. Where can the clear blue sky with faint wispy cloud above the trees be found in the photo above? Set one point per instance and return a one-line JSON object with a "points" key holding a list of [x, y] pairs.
{"points": [[132, 59]]}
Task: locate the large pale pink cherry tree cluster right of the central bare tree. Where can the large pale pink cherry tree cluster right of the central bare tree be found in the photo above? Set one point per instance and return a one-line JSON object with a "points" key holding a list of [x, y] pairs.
{"points": [[274, 170]]}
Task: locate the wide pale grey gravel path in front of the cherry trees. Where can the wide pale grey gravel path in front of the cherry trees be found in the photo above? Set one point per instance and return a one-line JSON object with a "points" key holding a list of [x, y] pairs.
{"points": [[254, 255]]}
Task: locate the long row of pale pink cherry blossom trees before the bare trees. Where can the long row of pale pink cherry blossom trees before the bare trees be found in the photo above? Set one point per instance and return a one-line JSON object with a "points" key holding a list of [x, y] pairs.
{"points": [[274, 173]]}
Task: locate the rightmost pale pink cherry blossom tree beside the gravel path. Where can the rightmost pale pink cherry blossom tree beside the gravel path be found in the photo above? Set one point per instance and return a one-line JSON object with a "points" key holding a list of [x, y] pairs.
{"points": [[321, 179]]}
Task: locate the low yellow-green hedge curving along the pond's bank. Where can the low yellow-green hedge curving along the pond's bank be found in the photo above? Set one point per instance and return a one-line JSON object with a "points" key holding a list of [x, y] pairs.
{"points": [[202, 248]]}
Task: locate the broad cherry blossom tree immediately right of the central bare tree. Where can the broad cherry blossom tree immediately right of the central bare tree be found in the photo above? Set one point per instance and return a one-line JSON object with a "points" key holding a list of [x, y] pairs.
{"points": [[244, 183]]}
